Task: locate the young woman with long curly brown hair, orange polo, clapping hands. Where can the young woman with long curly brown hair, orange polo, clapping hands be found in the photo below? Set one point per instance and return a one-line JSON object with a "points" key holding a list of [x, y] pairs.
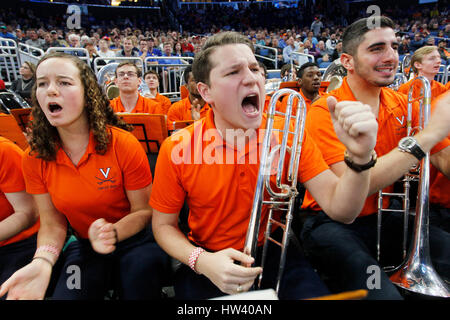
{"points": [[83, 169]]}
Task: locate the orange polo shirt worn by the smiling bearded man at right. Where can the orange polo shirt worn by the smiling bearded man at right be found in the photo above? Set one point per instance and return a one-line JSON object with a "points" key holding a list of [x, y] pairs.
{"points": [[391, 128]]}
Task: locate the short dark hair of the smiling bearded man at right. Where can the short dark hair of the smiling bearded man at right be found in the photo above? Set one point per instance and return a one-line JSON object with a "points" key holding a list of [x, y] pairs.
{"points": [[354, 33]]}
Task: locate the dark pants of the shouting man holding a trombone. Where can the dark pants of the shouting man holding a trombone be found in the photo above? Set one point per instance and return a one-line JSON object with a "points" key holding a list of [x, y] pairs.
{"points": [[299, 280]]}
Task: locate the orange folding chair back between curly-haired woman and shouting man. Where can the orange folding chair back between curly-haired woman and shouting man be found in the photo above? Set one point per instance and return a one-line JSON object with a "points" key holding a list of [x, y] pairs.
{"points": [[149, 129]]}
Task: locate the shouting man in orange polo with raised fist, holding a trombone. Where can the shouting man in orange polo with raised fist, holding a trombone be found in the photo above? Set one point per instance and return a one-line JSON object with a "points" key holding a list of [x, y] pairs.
{"points": [[219, 191]]}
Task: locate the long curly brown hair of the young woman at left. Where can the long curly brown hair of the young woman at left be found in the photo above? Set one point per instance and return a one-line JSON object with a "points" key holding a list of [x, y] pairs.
{"points": [[45, 140]]}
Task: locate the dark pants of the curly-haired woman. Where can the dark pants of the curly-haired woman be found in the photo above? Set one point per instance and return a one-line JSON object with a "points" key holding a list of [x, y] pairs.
{"points": [[136, 270]]}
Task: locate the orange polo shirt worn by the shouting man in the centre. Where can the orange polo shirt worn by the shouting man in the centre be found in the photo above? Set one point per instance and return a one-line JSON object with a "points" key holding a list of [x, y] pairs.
{"points": [[219, 193]]}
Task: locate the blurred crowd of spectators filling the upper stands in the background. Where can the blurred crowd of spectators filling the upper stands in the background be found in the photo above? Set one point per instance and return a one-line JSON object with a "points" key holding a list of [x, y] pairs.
{"points": [[277, 33]]}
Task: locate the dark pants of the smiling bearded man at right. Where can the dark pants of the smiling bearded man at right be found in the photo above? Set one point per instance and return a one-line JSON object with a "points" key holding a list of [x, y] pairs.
{"points": [[345, 253]]}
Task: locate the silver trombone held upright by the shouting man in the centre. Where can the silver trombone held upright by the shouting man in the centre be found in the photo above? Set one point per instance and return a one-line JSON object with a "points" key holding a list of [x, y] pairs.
{"points": [[283, 198]]}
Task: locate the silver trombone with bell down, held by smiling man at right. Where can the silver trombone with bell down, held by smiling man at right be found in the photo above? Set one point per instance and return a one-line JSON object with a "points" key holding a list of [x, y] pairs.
{"points": [[416, 273]]}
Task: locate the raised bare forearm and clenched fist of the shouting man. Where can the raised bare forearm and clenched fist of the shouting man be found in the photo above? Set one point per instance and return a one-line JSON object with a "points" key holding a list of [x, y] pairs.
{"points": [[342, 198]]}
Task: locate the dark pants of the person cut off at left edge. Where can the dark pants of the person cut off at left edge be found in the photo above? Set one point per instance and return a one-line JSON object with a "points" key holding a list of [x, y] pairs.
{"points": [[14, 256]]}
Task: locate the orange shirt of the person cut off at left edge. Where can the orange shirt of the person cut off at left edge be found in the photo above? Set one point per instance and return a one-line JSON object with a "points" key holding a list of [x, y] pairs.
{"points": [[11, 180]]}
